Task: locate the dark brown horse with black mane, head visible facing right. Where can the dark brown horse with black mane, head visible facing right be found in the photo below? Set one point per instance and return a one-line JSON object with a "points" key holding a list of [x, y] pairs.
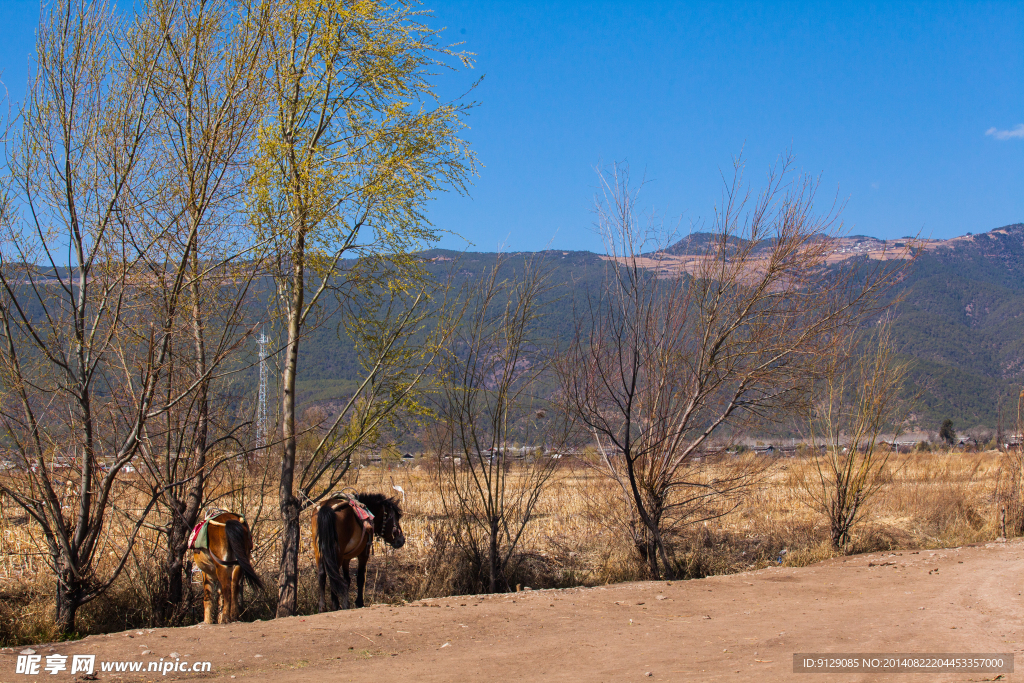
{"points": [[351, 539]]}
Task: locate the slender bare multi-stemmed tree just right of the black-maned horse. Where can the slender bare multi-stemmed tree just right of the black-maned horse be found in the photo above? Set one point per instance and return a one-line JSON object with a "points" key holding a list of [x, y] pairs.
{"points": [[488, 400]]}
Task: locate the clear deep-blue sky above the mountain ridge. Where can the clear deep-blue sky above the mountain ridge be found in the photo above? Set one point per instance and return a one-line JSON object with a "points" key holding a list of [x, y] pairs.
{"points": [[889, 104]]}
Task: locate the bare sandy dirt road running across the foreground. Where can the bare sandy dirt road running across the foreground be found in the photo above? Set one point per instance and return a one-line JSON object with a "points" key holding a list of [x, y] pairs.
{"points": [[742, 627]]}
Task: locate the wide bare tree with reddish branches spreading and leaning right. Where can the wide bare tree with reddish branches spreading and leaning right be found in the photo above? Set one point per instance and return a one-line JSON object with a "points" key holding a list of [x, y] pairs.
{"points": [[673, 351]]}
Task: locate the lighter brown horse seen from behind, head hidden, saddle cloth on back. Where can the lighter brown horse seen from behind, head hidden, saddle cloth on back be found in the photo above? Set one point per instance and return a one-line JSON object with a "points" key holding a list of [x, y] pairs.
{"points": [[226, 564]]}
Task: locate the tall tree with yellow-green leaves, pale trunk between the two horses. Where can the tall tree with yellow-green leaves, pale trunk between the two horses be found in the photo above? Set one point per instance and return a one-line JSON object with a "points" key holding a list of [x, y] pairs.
{"points": [[356, 144]]}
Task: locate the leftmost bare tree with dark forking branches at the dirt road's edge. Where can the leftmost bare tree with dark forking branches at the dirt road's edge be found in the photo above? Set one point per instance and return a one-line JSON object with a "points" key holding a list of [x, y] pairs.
{"points": [[69, 264]]}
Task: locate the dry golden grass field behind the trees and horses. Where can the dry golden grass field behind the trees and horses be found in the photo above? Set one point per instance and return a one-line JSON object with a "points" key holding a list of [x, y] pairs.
{"points": [[930, 500]]}
